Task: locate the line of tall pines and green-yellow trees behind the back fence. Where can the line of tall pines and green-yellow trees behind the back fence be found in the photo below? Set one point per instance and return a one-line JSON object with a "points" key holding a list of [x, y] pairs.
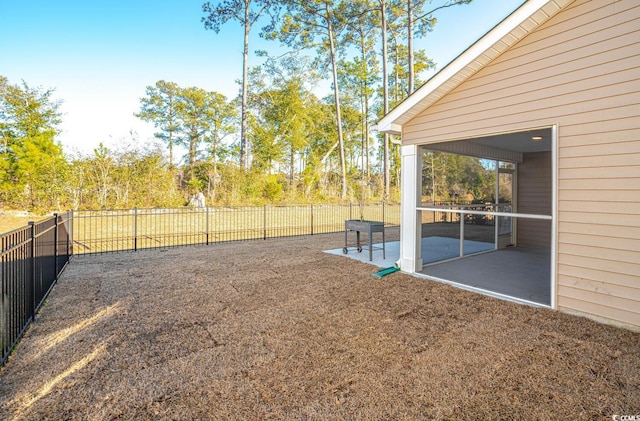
{"points": [[278, 141]]}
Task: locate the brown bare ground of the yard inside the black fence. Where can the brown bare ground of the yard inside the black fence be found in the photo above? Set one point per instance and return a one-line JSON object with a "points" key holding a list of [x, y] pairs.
{"points": [[278, 329]]}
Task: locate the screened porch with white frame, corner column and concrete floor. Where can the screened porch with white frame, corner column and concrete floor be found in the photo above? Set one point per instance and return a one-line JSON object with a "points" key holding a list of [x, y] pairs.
{"points": [[501, 246]]}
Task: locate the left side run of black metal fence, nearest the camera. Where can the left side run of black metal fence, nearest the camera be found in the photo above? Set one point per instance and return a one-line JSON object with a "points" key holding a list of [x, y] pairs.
{"points": [[32, 259]]}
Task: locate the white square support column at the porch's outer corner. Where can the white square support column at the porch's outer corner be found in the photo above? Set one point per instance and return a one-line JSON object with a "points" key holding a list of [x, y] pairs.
{"points": [[410, 217]]}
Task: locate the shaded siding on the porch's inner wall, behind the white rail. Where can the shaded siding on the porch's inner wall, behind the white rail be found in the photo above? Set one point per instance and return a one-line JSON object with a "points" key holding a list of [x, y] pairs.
{"points": [[534, 197]]}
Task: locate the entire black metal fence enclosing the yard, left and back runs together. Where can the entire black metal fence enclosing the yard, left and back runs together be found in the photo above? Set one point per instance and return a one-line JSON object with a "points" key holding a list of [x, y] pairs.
{"points": [[34, 256]]}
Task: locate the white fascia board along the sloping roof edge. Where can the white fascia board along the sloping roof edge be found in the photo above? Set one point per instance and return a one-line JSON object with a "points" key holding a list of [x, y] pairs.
{"points": [[409, 107]]}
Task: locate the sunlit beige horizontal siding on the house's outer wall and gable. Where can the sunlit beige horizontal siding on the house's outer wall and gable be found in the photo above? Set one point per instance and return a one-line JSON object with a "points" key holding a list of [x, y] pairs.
{"points": [[580, 71]]}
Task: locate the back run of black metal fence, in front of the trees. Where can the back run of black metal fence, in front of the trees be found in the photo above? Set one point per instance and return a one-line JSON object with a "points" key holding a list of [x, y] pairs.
{"points": [[108, 231]]}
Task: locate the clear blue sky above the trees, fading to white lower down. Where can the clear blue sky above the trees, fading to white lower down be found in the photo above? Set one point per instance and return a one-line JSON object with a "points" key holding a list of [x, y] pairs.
{"points": [[99, 55]]}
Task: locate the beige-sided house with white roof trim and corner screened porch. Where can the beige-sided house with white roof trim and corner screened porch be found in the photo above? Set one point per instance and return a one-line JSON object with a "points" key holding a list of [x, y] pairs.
{"points": [[550, 96]]}
